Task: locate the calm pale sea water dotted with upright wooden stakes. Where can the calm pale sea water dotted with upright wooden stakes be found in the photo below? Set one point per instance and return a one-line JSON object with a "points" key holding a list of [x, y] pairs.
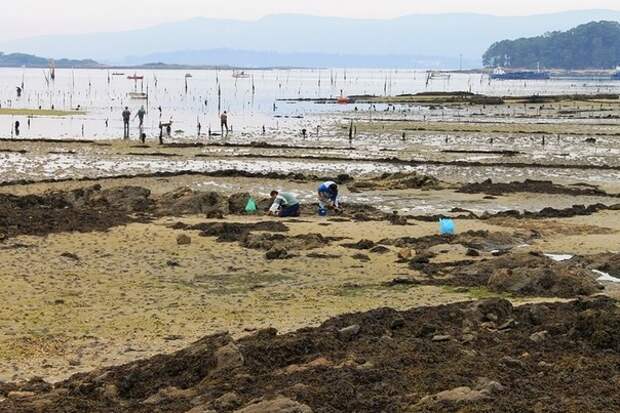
{"points": [[251, 101]]}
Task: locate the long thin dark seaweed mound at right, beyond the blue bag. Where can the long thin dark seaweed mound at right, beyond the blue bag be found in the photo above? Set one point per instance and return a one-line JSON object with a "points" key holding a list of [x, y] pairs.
{"points": [[530, 186]]}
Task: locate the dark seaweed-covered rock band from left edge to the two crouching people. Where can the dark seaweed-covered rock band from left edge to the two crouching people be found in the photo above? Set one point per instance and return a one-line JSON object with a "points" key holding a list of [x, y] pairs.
{"points": [[95, 209]]}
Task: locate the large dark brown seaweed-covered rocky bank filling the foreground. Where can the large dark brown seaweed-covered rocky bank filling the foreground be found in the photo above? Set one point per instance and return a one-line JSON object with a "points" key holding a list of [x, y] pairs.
{"points": [[484, 356]]}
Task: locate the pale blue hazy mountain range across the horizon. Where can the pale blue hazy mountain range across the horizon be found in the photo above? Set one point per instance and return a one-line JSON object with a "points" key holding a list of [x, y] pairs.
{"points": [[300, 40]]}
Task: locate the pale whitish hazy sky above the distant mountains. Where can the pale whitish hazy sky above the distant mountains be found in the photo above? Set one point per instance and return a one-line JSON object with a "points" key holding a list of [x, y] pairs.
{"points": [[25, 18]]}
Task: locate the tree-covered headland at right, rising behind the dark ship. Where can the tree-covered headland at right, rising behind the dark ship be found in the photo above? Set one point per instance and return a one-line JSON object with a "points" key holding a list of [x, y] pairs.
{"points": [[594, 45]]}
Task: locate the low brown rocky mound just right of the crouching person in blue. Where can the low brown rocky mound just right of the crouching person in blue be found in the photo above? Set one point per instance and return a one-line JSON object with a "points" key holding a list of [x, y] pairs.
{"points": [[396, 181]]}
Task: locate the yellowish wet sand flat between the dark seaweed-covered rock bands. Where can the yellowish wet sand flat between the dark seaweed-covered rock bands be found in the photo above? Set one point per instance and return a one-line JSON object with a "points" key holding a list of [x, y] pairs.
{"points": [[121, 301]]}
